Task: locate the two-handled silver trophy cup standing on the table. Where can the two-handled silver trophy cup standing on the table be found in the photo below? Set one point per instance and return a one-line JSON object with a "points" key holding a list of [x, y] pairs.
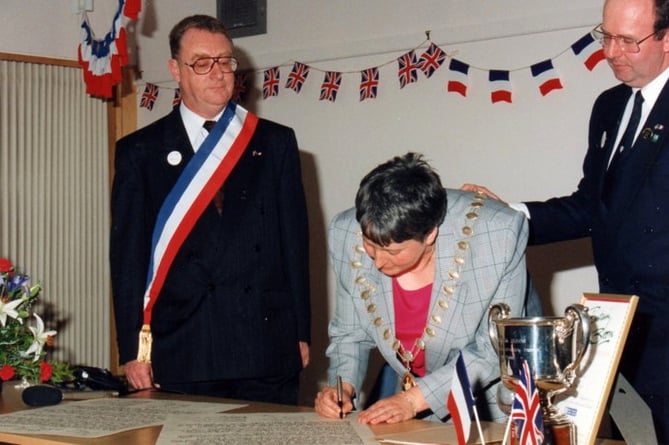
{"points": [[552, 346]]}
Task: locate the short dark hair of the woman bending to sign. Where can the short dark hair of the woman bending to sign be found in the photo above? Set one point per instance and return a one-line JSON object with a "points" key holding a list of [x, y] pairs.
{"points": [[400, 200]]}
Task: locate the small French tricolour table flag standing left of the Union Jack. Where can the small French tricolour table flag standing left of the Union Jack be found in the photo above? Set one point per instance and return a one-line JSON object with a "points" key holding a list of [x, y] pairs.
{"points": [[460, 401]]}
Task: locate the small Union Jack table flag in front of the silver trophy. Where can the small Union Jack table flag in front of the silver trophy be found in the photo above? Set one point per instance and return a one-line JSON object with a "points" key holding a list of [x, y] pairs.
{"points": [[526, 409]]}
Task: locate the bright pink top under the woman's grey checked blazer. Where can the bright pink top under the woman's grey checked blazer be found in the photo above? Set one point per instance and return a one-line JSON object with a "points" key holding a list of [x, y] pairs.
{"points": [[411, 308]]}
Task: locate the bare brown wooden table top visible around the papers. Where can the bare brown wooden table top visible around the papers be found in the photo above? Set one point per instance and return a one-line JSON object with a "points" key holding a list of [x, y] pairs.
{"points": [[149, 435]]}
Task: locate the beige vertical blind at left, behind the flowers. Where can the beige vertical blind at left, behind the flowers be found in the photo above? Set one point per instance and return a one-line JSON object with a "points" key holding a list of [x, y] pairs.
{"points": [[54, 201]]}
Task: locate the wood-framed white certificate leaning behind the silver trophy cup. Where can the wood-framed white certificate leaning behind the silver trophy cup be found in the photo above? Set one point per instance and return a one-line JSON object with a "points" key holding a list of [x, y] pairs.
{"points": [[611, 316]]}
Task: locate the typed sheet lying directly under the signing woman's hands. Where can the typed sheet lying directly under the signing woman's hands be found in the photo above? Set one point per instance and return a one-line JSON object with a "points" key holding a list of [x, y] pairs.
{"points": [[306, 428]]}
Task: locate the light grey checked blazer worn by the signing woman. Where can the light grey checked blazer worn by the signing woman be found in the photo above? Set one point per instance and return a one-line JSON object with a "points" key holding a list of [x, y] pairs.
{"points": [[480, 261]]}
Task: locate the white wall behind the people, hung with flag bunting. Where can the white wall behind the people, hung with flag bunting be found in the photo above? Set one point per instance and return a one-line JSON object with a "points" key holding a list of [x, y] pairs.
{"points": [[530, 149]]}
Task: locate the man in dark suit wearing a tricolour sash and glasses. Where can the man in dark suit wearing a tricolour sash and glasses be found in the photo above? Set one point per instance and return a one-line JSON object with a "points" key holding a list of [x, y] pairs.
{"points": [[209, 239]]}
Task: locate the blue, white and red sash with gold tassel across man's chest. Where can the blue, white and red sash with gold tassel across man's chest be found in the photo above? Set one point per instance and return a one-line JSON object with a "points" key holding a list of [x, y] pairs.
{"points": [[202, 177]]}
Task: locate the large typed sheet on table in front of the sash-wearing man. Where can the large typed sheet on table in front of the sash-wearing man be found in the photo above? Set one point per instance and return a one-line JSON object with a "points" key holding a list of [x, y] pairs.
{"points": [[101, 417]]}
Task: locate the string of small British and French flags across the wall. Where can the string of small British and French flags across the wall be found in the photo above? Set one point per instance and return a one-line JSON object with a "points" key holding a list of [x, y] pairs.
{"points": [[425, 58]]}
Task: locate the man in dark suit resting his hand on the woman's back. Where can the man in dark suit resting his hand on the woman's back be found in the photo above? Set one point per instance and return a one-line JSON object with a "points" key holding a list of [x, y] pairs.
{"points": [[622, 201]]}
